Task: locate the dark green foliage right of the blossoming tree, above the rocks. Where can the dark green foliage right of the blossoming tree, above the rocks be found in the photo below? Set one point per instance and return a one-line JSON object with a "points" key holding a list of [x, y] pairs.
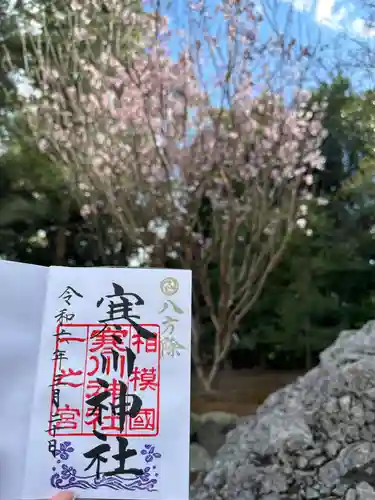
{"points": [[326, 281]]}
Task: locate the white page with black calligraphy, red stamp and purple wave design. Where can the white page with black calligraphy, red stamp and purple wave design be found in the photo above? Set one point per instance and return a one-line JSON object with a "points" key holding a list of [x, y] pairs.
{"points": [[161, 378]]}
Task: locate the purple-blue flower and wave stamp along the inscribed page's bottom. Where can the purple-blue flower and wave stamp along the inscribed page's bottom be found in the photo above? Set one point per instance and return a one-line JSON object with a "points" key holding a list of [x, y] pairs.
{"points": [[67, 477]]}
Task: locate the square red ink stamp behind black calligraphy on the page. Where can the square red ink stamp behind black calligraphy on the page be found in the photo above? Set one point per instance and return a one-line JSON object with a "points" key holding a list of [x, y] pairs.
{"points": [[99, 369]]}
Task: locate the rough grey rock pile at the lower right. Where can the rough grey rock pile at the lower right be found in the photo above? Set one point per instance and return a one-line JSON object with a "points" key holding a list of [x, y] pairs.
{"points": [[314, 439]]}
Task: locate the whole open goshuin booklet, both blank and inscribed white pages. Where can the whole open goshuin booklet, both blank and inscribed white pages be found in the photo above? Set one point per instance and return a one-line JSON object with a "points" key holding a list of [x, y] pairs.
{"points": [[102, 408]]}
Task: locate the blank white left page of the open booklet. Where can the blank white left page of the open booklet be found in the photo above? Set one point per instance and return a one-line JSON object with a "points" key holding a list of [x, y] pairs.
{"points": [[22, 294]]}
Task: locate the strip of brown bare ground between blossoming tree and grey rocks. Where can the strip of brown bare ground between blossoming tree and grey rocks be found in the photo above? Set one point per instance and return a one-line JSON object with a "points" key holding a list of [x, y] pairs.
{"points": [[240, 392]]}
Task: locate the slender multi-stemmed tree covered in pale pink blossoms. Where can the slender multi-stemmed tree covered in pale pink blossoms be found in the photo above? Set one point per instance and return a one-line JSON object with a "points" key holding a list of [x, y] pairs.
{"points": [[196, 138]]}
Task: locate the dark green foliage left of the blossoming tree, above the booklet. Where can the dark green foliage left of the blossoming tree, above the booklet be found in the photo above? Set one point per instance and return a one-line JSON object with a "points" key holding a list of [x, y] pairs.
{"points": [[40, 222]]}
